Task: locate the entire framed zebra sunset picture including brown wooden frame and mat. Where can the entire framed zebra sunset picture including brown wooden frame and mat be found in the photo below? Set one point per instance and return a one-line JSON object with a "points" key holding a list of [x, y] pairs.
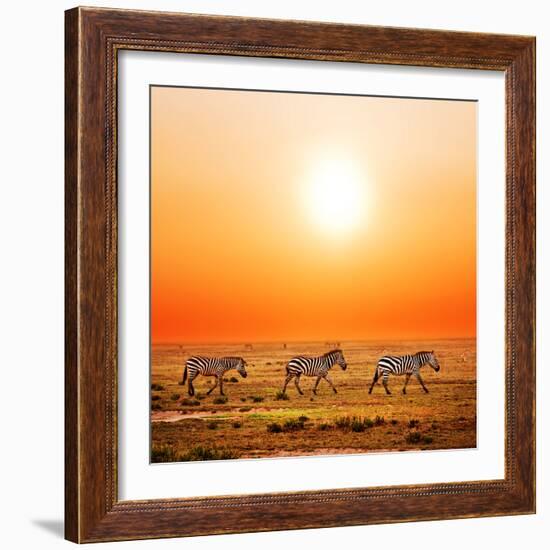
{"points": [[300, 275]]}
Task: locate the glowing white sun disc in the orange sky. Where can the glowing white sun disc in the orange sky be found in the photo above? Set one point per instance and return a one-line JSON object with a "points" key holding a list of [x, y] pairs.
{"points": [[335, 196]]}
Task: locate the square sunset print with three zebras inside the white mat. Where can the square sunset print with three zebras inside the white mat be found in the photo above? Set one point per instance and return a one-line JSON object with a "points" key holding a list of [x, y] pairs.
{"points": [[313, 274]]}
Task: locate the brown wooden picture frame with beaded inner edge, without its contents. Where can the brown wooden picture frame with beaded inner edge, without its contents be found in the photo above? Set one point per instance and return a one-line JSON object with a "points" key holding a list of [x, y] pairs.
{"points": [[93, 38]]}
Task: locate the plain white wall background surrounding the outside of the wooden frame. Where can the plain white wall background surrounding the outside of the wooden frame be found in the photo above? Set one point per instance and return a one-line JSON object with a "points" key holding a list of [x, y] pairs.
{"points": [[31, 218]]}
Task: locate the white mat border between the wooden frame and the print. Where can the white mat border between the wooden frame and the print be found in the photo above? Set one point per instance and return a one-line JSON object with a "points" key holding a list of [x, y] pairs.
{"points": [[140, 480]]}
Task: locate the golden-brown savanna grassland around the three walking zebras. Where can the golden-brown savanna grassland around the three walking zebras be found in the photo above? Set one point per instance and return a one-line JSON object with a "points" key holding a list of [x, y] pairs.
{"points": [[256, 420]]}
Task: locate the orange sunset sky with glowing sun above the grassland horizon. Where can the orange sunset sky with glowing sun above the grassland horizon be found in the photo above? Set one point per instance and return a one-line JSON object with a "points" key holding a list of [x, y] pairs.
{"points": [[281, 217]]}
